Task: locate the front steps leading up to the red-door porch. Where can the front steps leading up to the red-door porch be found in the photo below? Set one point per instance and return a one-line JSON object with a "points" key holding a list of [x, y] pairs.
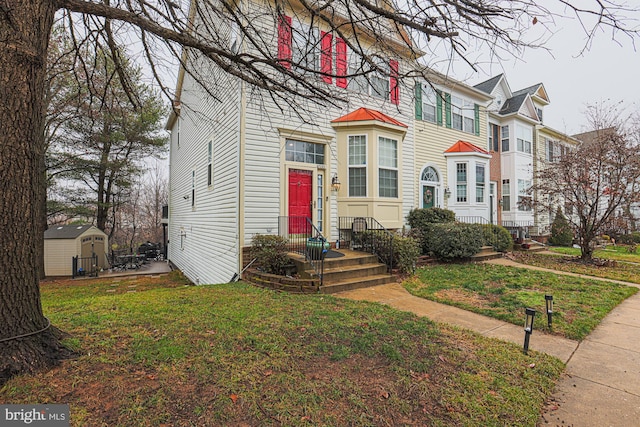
{"points": [[355, 270]]}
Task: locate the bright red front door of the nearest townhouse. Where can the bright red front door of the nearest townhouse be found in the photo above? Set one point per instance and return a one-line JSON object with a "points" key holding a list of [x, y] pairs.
{"points": [[300, 192]]}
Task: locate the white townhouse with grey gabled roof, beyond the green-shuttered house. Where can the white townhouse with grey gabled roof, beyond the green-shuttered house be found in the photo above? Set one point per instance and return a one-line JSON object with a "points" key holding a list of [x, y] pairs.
{"points": [[520, 143]]}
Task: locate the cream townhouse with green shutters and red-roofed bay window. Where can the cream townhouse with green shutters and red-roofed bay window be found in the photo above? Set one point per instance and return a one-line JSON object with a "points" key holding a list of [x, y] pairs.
{"points": [[451, 165]]}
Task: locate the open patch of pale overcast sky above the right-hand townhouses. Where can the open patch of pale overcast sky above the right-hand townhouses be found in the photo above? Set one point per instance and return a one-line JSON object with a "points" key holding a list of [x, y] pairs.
{"points": [[607, 72]]}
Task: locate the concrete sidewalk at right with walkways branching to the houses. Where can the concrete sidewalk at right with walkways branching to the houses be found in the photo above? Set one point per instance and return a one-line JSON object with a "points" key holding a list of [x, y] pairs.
{"points": [[601, 383]]}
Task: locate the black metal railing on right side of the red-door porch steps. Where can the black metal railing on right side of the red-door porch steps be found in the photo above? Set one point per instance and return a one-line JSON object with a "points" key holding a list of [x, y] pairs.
{"points": [[368, 235]]}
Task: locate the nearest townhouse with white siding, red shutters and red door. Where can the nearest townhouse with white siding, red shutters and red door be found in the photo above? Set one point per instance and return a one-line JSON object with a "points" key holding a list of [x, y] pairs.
{"points": [[242, 165]]}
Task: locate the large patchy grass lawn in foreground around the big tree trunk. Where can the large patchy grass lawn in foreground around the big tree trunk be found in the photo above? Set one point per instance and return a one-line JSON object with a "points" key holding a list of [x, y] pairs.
{"points": [[157, 352]]}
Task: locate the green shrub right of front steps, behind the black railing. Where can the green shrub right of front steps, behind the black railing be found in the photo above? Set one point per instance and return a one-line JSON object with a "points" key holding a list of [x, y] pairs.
{"points": [[406, 249]]}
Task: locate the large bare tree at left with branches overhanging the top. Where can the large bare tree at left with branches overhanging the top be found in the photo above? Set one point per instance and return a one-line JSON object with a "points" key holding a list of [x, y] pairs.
{"points": [[161, 26]]}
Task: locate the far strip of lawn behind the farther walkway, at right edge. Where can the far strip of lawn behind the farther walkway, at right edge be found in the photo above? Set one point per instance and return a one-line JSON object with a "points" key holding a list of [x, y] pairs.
{"points": [[624, 271]]}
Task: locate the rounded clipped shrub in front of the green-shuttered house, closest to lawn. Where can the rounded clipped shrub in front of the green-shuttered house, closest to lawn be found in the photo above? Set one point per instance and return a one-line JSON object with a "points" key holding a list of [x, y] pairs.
{"points": [[456, 240]]}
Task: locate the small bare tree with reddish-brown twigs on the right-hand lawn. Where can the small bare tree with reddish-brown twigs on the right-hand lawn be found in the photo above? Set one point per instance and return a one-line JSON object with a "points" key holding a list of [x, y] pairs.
{"points": [[596, 183]]}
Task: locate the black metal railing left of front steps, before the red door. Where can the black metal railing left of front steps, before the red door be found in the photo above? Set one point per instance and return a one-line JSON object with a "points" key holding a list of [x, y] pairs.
{"points": [[304, 238]]}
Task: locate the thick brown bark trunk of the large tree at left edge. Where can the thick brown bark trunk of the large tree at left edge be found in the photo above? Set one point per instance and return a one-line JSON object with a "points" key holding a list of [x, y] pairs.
{"points": [[24, 31]]}
